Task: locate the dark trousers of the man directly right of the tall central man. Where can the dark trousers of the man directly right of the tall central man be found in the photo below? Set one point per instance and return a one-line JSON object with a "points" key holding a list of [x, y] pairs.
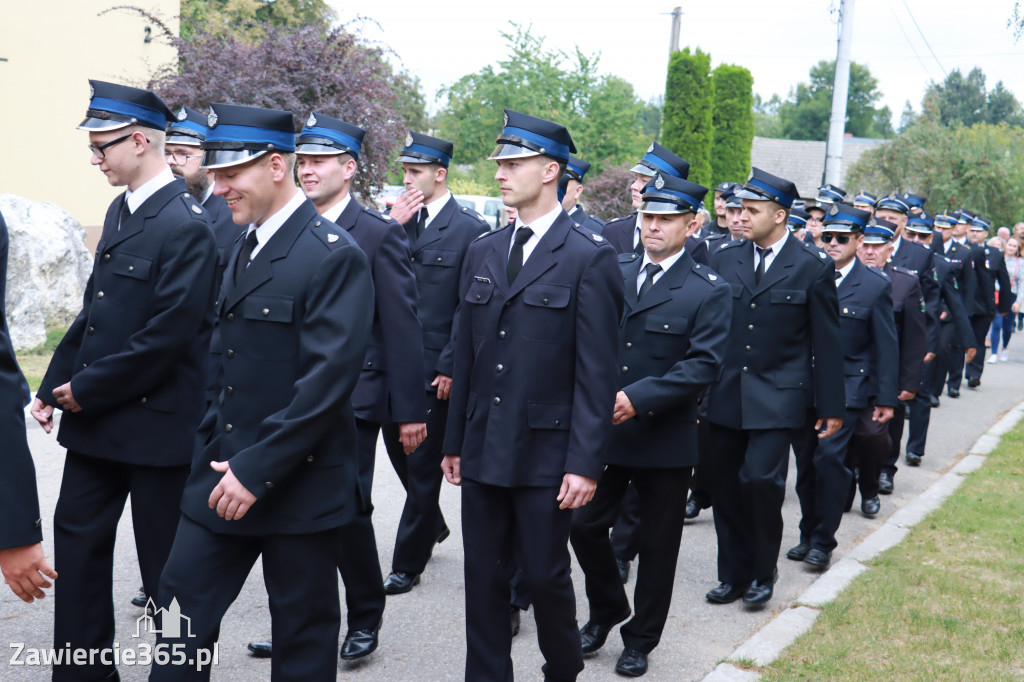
{"points": [[663, 508]]}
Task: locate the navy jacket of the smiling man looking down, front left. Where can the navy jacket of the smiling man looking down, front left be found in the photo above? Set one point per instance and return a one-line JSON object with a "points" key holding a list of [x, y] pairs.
{"points": [[295, 329]]}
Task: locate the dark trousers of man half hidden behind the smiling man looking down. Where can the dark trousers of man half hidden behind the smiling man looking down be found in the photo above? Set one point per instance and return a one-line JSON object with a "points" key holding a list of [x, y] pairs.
{"points": [[358, 562]]}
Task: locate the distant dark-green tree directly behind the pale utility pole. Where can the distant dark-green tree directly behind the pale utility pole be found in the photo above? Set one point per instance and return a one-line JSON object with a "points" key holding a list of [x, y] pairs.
{"points": [[805, 115]]}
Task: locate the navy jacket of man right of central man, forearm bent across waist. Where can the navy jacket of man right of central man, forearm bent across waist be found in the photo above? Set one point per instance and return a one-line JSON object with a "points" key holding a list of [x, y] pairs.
{"points": [[671, 349]]}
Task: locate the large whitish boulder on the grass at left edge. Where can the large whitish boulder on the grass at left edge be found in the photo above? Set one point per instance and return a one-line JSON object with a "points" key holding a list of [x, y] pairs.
{"points": [[48, 269]]}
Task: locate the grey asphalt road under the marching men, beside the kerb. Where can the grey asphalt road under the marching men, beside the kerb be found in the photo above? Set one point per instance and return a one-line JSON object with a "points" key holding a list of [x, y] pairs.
{"points": [[423, 636]]}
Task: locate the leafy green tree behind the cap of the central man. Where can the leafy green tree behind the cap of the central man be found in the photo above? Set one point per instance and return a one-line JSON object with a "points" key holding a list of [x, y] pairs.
{"points": [[603, 113]]}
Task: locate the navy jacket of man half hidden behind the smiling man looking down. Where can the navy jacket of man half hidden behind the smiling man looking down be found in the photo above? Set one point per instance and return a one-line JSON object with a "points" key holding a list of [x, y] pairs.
{"points": [[390, 388]]}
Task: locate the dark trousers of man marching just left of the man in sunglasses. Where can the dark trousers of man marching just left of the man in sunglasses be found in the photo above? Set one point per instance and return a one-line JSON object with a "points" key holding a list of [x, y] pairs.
{"points": [[748, 475]]}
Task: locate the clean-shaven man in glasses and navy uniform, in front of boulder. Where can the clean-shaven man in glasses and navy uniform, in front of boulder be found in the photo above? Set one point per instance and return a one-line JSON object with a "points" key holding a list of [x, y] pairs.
{"points": [[130, 374]]}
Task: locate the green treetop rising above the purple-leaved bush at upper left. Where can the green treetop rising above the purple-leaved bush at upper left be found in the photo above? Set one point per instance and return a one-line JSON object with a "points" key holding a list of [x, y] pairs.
{"points": [[245, 19]]}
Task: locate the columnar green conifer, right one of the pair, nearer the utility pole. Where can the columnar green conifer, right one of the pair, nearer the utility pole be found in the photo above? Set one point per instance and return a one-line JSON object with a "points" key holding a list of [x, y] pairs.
{"points": [[734, 122]]}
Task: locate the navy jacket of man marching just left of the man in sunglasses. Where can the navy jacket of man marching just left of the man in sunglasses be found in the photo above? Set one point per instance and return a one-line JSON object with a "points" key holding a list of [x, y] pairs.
{"points": [[778, 327]]}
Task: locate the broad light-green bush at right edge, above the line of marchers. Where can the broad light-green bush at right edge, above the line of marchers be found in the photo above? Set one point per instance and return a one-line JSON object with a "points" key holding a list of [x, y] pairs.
{"points": [[980, 168]]}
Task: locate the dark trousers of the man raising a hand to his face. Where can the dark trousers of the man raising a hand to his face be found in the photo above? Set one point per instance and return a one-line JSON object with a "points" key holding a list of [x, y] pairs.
{"points": [[420, 474]]}
